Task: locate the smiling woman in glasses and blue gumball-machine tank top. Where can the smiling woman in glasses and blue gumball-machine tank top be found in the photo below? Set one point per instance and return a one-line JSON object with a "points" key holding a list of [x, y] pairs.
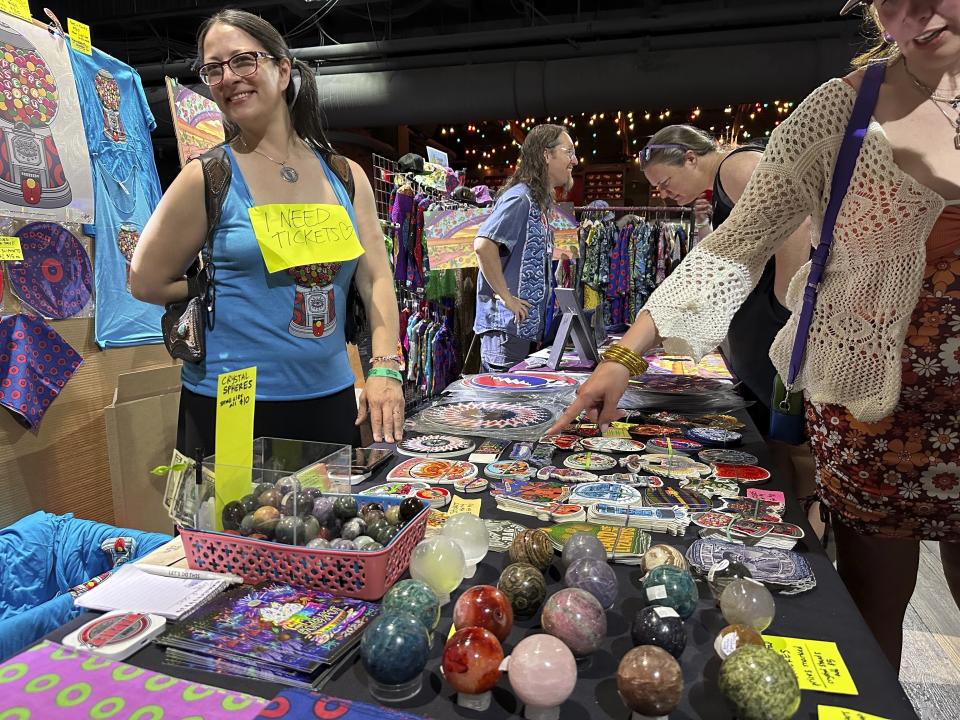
{"points": [[288, 323]]}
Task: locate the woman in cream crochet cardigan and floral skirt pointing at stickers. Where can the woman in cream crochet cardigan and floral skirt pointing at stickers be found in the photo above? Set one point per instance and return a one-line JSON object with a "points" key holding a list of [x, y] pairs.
{"points": [[881, 376]]}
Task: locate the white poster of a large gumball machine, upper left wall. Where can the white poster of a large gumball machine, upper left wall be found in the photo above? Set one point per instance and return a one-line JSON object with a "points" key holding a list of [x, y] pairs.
{"points": [[44, 160]]}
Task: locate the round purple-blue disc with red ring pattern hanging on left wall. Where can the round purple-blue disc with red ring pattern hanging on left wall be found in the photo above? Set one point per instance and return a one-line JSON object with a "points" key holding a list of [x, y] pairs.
{"points": [[54, 277]]}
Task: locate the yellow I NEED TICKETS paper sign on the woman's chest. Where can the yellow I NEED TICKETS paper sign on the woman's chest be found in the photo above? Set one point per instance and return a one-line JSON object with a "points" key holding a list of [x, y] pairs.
{"points": [[291, 235]]}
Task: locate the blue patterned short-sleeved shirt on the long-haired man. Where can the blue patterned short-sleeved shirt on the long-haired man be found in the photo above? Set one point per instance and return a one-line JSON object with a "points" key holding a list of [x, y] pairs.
{"points": [[526, 250]]}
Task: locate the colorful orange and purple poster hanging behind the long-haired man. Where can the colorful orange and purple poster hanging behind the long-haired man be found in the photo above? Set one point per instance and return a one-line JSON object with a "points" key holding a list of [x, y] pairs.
{"points": [[450, 233]]}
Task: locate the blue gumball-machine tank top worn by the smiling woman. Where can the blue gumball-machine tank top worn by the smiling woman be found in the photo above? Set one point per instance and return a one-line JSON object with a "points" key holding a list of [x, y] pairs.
{"points": [[255, 314]]}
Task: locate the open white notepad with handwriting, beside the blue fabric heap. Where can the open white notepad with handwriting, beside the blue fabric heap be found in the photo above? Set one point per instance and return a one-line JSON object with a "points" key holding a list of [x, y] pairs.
{"points": [[134, 590]]}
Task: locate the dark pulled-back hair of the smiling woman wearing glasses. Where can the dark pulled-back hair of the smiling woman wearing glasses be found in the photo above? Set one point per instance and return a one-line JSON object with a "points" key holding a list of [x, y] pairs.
{"points": [[303, 103]]}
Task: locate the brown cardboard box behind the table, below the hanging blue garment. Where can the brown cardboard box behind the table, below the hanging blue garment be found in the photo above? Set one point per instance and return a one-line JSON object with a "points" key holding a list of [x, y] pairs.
{"points": [[141, 434]]}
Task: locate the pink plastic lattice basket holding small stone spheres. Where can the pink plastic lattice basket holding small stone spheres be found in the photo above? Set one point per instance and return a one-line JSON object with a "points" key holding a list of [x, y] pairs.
{"points": [[363, 575]]}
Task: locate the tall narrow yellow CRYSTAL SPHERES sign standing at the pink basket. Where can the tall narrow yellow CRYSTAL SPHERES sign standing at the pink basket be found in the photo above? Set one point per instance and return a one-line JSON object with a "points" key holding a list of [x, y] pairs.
{"points": [[236, 392]]}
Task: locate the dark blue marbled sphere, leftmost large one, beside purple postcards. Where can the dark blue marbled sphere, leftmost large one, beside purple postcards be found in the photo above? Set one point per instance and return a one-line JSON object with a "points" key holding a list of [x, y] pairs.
{"points": [[394, 648]]}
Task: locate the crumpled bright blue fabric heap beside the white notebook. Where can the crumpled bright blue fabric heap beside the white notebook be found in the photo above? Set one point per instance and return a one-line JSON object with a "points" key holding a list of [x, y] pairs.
{"points": [[41, 557]]}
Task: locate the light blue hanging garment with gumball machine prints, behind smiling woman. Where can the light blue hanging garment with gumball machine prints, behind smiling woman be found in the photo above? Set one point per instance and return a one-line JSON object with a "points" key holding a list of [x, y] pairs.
{"points": [[118, 122]]}
